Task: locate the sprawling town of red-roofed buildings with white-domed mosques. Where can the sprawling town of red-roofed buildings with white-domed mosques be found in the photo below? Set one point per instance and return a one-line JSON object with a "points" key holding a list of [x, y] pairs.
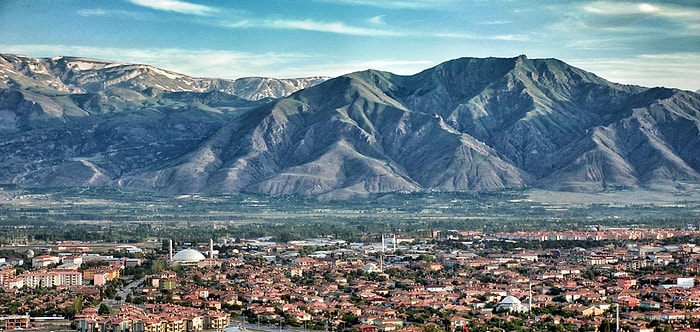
{"points": [[626, 279]]}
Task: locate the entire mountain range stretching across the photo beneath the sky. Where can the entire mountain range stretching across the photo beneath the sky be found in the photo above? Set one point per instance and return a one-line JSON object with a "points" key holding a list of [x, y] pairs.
{"points": [[466, 124]]}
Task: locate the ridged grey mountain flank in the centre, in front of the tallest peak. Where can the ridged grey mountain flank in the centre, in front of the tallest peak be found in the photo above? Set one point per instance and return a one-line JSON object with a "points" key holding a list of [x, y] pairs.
{"points": [[346, 137]]}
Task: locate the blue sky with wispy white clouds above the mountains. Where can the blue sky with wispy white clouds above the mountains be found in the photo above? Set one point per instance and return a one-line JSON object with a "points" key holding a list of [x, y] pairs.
{"points": [[654, 43]]}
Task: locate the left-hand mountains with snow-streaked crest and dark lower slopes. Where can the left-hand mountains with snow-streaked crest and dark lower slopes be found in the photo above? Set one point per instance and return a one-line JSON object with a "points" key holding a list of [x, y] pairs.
{"points": [[71, 121]]}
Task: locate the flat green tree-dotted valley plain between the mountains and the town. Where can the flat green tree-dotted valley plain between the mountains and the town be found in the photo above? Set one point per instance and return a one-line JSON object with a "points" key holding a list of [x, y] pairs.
{"points": [[118, 216]]}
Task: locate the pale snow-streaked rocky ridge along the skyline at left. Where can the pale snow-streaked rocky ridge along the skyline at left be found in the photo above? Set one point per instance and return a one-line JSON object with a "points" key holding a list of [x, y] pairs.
{"points": [[81, 75]]}
